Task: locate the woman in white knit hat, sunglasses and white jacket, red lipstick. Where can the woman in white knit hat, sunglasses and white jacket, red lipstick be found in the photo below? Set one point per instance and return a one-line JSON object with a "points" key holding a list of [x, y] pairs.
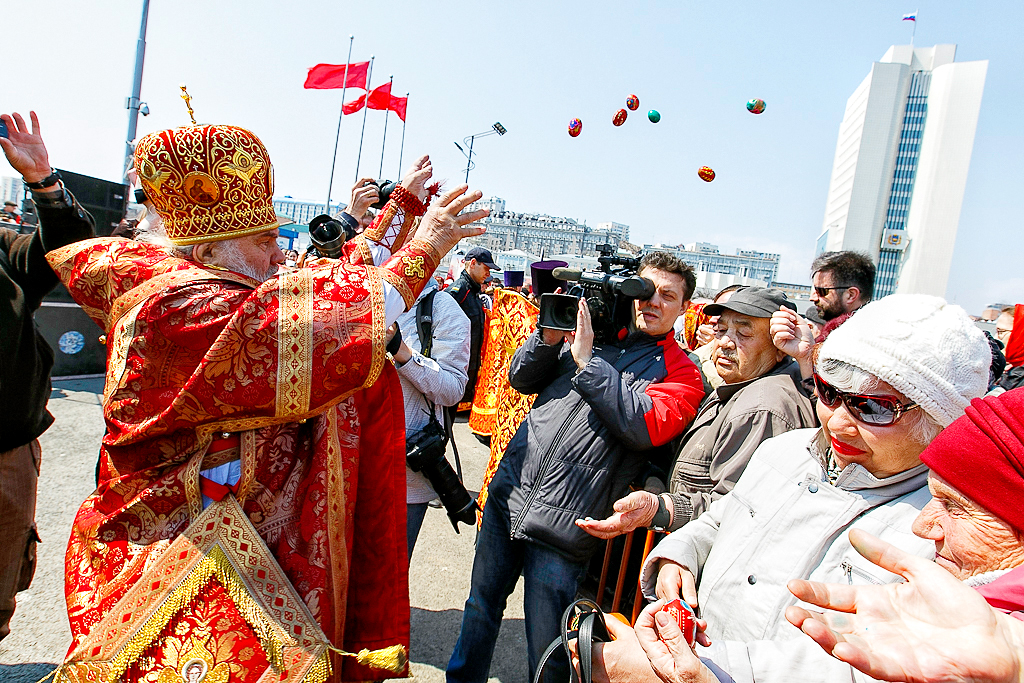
{"points": [[888, 381]]}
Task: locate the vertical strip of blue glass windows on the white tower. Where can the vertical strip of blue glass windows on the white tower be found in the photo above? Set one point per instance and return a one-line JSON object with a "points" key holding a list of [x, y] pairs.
{"points": [[890, 261]]}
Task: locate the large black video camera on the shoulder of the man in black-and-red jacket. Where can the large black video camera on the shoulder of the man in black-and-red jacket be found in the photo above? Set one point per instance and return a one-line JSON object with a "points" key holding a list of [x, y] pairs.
{"points": [[610, 294]]}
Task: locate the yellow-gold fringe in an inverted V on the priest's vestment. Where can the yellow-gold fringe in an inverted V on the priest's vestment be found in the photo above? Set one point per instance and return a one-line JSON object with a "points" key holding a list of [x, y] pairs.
{"points": [[215, 565]]}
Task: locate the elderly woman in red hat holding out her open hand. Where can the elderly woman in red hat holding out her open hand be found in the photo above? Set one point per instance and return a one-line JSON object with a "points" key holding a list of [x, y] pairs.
{"points": [[977, 525]]}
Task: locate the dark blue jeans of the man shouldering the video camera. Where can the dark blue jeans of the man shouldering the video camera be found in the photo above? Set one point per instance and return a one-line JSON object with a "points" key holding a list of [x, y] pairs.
{"points": [[550, 584]]}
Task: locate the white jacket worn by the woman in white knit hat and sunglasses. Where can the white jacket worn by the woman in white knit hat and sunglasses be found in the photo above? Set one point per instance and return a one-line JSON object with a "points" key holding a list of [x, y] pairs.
{"points": [[784, 521]]}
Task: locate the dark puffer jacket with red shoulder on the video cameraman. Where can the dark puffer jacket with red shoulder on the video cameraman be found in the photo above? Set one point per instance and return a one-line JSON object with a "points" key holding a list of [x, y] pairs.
{"points": [[584, 441]]}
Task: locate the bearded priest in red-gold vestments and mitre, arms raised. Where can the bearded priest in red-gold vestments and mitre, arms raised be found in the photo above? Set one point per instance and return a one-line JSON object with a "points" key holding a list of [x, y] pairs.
{"points": [[249, 524]]}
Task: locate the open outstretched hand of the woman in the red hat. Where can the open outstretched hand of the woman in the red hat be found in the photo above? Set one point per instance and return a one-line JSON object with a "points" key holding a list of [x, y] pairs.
{"points": [[931, 628]]}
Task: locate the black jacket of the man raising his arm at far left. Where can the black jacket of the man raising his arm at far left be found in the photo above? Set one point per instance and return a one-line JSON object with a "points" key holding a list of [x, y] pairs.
{"points": [[25, 279]]}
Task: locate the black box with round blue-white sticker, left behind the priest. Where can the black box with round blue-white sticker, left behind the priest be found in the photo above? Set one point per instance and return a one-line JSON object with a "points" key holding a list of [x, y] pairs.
{"points": [[74, 338]]}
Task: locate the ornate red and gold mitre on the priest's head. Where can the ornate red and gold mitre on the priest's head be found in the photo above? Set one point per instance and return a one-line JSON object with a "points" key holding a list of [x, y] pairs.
{"points": [[208, 183]]}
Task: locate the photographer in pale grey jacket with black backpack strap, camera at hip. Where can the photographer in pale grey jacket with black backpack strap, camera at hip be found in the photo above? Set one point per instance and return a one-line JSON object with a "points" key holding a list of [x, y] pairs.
{"points": [[433, 381]]}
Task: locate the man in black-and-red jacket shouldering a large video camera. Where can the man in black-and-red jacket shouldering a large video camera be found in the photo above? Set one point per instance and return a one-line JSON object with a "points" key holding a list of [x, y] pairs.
{"points": [[599, 409]]}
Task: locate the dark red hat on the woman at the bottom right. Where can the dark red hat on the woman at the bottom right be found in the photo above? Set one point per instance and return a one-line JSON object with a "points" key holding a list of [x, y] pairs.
{"points": [[983, 455]]}
